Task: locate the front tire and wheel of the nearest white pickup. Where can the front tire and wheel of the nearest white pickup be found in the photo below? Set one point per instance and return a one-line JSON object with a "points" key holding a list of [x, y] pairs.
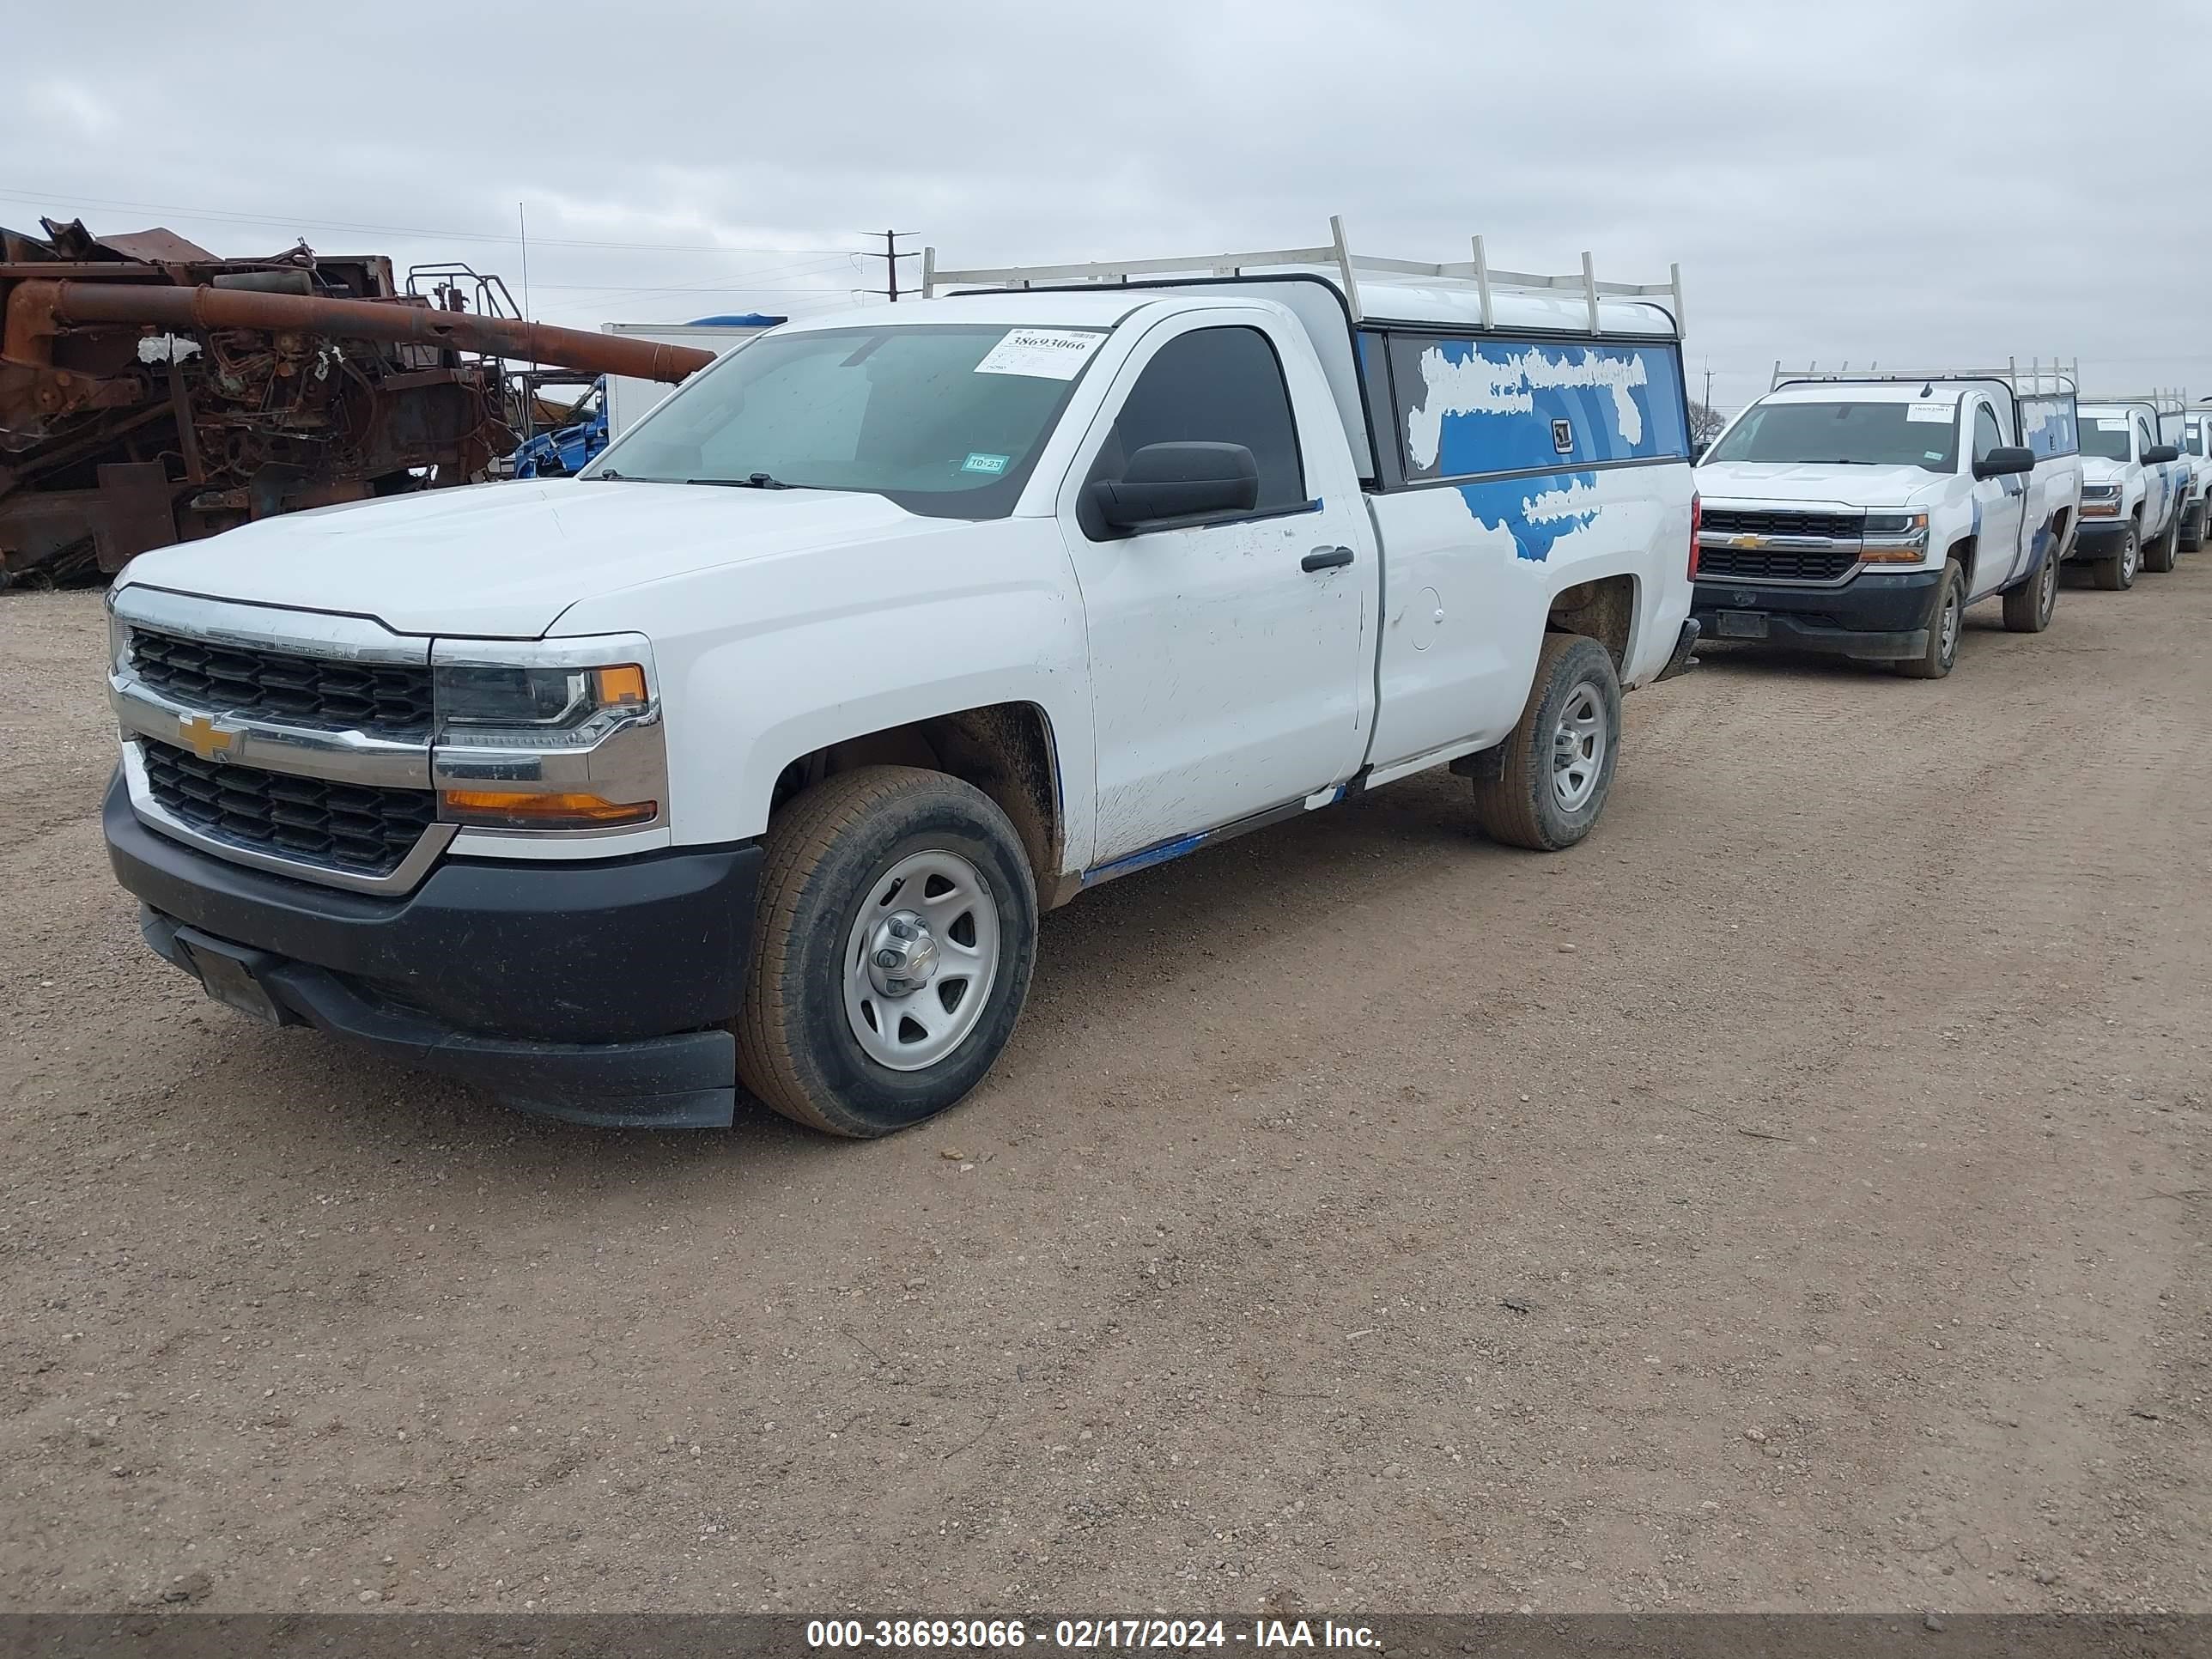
{"points": [[895, 937]]}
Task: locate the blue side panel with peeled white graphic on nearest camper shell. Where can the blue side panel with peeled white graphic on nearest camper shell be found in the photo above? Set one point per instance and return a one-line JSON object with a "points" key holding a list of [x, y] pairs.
{"points": [[1494, 406]]}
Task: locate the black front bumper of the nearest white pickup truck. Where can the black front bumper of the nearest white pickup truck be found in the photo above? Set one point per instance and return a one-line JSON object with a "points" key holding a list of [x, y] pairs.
{"points": [[592, 992]]}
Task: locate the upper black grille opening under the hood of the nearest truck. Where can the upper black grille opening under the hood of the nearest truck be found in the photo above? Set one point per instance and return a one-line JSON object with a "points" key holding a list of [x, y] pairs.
{"points": [[388, 700]]}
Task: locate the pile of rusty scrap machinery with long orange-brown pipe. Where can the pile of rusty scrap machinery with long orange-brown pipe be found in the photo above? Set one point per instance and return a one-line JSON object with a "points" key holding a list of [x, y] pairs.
{"points": [[154, 393]]}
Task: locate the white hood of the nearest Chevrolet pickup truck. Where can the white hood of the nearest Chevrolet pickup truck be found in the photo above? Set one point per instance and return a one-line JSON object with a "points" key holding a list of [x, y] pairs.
{"points": [[505, 561]]}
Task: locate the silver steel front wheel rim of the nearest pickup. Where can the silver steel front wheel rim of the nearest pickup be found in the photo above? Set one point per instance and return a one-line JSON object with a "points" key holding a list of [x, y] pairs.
{"points": [[919, 1010]]}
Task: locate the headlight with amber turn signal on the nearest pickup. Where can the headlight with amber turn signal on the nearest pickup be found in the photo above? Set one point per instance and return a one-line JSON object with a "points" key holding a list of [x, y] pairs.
{"points": [[556, 735]]}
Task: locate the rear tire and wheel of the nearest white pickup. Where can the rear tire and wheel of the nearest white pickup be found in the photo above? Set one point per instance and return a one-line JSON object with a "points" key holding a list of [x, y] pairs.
{"points": [[1556, 764]]}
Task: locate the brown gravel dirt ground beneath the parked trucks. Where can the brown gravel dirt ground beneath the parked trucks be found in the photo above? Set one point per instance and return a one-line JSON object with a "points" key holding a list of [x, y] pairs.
{"points": [[1795, 1198]]}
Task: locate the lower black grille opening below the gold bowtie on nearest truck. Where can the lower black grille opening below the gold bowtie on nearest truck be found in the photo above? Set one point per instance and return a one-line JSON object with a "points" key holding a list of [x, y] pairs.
{"points": [[342, 826]]}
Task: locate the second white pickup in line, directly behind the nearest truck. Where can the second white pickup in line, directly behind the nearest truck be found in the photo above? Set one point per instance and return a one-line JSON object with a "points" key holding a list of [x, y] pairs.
{"points": [[1864, 514]]}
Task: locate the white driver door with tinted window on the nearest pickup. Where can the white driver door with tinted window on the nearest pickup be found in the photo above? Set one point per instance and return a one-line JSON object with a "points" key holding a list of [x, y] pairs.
{"points": [[1231, 658]]}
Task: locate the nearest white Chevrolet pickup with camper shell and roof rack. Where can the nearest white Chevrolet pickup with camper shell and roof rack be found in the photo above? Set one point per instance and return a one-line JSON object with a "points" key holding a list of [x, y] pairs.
{"points": [[751, 755]]}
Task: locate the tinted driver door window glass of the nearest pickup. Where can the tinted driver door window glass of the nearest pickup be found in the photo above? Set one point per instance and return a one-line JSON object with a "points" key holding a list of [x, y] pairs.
{"points": [[1215, 386]]}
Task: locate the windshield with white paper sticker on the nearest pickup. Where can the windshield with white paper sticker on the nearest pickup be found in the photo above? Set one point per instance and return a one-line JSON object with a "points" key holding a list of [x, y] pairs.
{"points": [[943, 419]]}
